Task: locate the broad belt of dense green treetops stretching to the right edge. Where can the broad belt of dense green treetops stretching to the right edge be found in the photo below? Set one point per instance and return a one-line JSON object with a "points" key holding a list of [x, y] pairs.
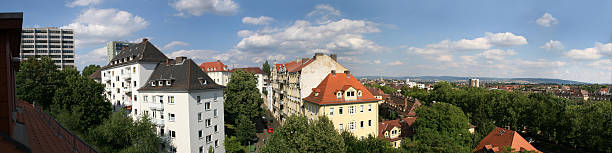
{"points": [[543, 116]]}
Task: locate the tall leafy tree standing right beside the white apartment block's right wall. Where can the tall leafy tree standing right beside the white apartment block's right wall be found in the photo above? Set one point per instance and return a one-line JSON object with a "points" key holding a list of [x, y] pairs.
{"points": [[242, 98]]}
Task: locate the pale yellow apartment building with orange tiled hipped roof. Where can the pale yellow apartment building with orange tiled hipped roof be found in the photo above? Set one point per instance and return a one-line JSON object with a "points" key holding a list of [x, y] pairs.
{"points": [[346, 102]]}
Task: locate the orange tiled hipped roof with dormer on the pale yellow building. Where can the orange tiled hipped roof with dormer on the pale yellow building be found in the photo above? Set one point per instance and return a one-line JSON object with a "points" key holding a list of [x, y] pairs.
{"points": [[339, 82]]}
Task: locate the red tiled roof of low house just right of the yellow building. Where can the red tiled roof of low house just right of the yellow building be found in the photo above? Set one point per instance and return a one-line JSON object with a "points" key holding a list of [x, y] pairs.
{"points": [[403, 124]]}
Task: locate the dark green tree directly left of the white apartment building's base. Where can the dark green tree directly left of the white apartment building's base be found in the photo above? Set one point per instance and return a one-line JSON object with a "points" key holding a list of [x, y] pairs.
{"points": [[80, 104]]}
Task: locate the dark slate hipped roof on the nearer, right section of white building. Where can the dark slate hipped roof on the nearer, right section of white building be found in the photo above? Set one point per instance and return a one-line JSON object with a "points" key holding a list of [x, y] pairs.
{"points": [[184, 76]]}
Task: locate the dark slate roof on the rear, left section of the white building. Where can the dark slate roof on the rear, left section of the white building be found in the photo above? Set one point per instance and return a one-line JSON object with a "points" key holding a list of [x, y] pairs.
{"points": [[142, 52]]}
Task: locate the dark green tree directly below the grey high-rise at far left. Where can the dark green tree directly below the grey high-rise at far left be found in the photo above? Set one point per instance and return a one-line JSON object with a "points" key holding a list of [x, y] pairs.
{"points": [[37, 81]]}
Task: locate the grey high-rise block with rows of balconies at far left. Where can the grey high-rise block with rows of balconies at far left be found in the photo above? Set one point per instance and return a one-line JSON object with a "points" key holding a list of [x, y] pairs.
{"points": [[56, 43]]}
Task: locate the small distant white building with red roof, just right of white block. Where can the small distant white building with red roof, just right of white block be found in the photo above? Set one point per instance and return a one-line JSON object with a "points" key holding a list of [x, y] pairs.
{"points": [[217, 71]]}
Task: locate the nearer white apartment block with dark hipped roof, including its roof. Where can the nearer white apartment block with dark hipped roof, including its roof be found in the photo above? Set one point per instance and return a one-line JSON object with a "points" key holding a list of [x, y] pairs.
{"points": [[185, 104]]}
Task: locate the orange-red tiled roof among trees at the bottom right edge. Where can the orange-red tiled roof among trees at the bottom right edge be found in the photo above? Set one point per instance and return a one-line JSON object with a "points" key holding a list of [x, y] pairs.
{"points": [[499, 137]]}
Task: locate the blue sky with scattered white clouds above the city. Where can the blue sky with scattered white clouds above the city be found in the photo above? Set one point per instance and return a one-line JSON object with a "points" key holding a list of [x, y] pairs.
{"points": [[569, 40]]}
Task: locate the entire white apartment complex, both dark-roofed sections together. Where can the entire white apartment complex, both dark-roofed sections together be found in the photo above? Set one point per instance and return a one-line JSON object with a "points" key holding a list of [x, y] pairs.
{"points": [[184, 103]]}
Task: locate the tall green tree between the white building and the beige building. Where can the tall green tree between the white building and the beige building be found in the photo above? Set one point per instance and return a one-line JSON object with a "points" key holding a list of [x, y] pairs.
{"points": [[242, 106]]}
